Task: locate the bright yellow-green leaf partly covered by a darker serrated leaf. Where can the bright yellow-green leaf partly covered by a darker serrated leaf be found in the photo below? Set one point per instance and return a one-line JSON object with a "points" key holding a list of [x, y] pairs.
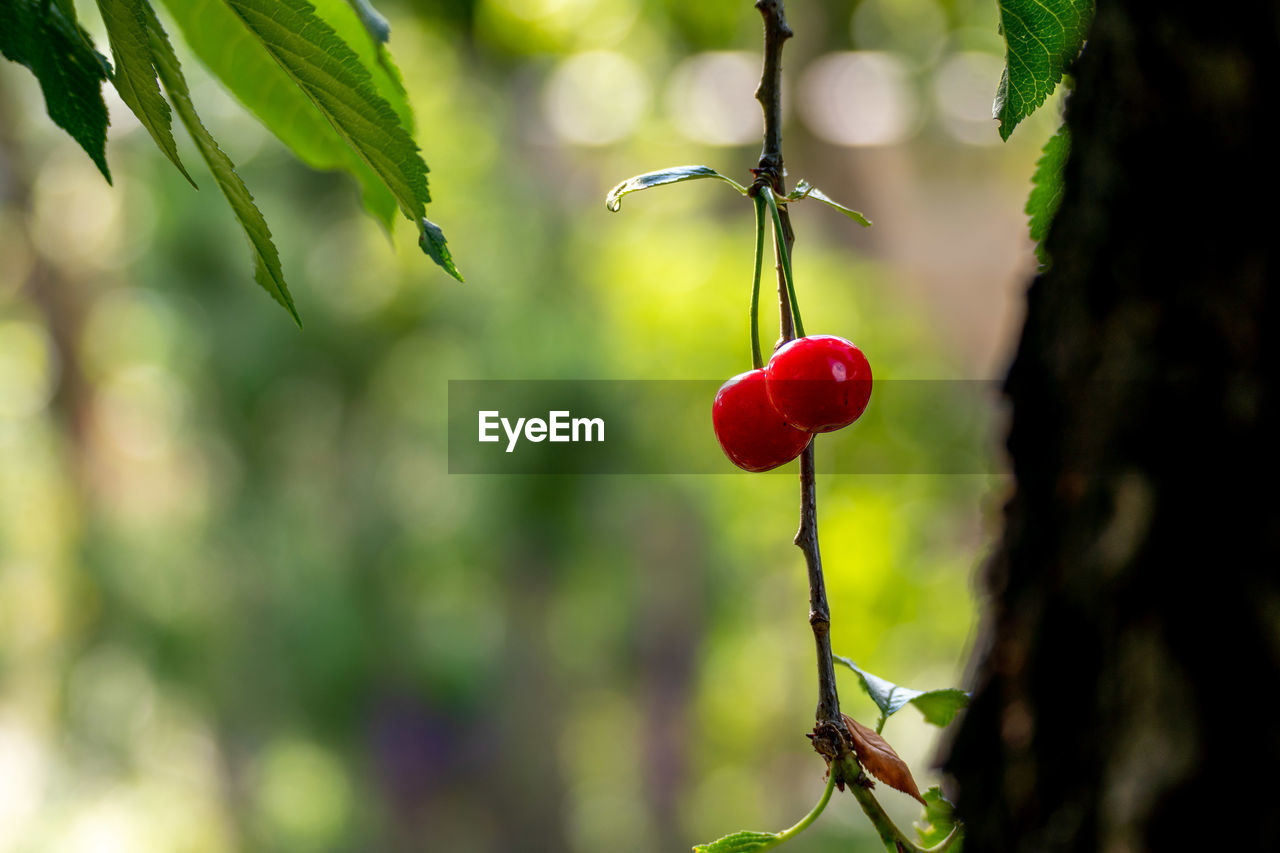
{"points": [[245, 67]]}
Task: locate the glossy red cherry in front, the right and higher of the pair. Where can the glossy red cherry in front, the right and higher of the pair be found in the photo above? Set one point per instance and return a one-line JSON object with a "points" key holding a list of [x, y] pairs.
{"points": [[820, 384]]}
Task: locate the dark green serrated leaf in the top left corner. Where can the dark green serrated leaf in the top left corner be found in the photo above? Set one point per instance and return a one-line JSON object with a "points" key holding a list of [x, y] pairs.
{"points": [[47, 39]]}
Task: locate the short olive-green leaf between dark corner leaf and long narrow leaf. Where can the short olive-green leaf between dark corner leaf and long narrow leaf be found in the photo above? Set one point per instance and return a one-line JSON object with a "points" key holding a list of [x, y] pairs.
{"points": [[135, 76]]}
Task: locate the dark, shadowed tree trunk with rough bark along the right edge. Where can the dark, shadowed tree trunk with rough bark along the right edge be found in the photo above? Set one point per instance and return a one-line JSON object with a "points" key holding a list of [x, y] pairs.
{"points": [[1135, 608]]}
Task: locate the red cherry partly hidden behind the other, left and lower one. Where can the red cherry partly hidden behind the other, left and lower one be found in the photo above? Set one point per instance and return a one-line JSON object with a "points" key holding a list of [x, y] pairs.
{"points": [[751, 431]]}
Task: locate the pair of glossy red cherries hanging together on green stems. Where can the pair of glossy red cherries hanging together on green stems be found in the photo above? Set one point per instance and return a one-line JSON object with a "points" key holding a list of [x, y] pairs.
{"points": [[767, 417]]}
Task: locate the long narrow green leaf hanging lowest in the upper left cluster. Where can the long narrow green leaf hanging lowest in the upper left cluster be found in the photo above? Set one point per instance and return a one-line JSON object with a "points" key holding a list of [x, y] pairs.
{"points": [[267, 261]]}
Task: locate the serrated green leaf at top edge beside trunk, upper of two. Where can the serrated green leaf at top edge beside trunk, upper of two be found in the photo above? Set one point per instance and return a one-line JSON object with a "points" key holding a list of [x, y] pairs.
{"points": [[1041, 40]]}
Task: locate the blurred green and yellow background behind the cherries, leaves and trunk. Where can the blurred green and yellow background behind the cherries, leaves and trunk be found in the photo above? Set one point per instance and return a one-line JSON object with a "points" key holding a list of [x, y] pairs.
{"points": [[244, 606]]}
